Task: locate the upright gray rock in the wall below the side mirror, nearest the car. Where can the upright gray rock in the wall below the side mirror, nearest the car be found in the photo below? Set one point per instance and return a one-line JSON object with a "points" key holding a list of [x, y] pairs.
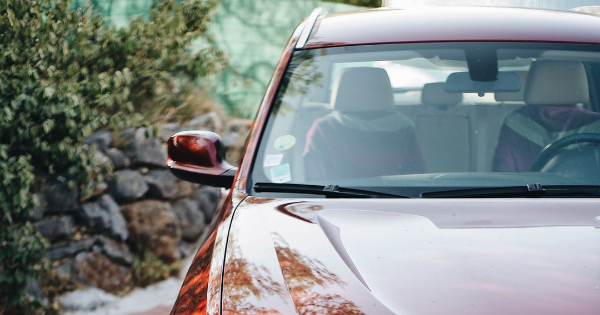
{"points": [[191, 218]]}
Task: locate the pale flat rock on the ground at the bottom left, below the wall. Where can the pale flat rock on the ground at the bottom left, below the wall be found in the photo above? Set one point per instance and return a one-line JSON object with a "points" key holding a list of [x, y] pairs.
{"points": [[86, 299]]}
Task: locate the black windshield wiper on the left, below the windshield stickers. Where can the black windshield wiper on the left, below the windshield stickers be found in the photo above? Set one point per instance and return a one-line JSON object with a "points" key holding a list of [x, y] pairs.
{"points": [[329, 191]]}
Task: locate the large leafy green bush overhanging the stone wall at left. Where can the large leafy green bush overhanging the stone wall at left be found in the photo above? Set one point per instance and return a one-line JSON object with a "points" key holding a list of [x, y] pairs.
{"points": [[64, 74]]}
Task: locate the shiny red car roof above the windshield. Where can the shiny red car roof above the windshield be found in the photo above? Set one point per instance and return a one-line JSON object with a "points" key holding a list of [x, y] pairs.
{"points": [[453, 24]]}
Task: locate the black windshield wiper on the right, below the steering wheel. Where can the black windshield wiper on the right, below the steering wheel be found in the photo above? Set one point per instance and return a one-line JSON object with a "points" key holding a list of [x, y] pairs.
{"points": [[528, 191]]}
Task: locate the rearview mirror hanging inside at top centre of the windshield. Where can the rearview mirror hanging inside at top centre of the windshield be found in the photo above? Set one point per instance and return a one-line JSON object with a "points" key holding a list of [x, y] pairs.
{"points": [[460, 82]]}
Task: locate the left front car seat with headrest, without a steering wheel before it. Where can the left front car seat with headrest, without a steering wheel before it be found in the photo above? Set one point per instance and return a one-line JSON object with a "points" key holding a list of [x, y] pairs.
{"points": [[363, 136]]}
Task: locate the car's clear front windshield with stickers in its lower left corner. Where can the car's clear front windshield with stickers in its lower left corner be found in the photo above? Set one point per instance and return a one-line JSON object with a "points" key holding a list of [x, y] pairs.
{"points": [[413, 118]]}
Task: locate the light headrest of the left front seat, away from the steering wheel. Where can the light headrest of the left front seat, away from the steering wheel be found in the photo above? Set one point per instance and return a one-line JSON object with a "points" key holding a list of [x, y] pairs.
{"points": [[361, 89]]}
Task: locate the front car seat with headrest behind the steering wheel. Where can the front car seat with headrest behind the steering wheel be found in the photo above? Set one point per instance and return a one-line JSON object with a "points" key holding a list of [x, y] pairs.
{"points": [[554, 95]]}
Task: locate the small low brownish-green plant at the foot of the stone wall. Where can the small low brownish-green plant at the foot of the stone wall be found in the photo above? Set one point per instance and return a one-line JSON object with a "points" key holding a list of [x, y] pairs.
{"points": [[150, 268]]}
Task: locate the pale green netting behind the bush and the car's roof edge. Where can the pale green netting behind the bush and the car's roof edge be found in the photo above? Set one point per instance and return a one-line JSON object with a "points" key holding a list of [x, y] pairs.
{"points": [[253, 33]]}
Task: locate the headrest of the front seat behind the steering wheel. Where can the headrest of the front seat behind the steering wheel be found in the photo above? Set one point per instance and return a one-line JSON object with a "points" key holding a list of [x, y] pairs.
{"points": [[556, 83]]}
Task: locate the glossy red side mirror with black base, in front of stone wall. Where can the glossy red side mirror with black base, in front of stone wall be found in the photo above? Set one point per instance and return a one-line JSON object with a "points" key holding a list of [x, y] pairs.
{"points": [[199, 157]]}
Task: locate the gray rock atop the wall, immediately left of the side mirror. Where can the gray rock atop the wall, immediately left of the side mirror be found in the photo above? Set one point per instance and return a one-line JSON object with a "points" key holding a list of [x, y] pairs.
{"points": [[143, 150]]}
